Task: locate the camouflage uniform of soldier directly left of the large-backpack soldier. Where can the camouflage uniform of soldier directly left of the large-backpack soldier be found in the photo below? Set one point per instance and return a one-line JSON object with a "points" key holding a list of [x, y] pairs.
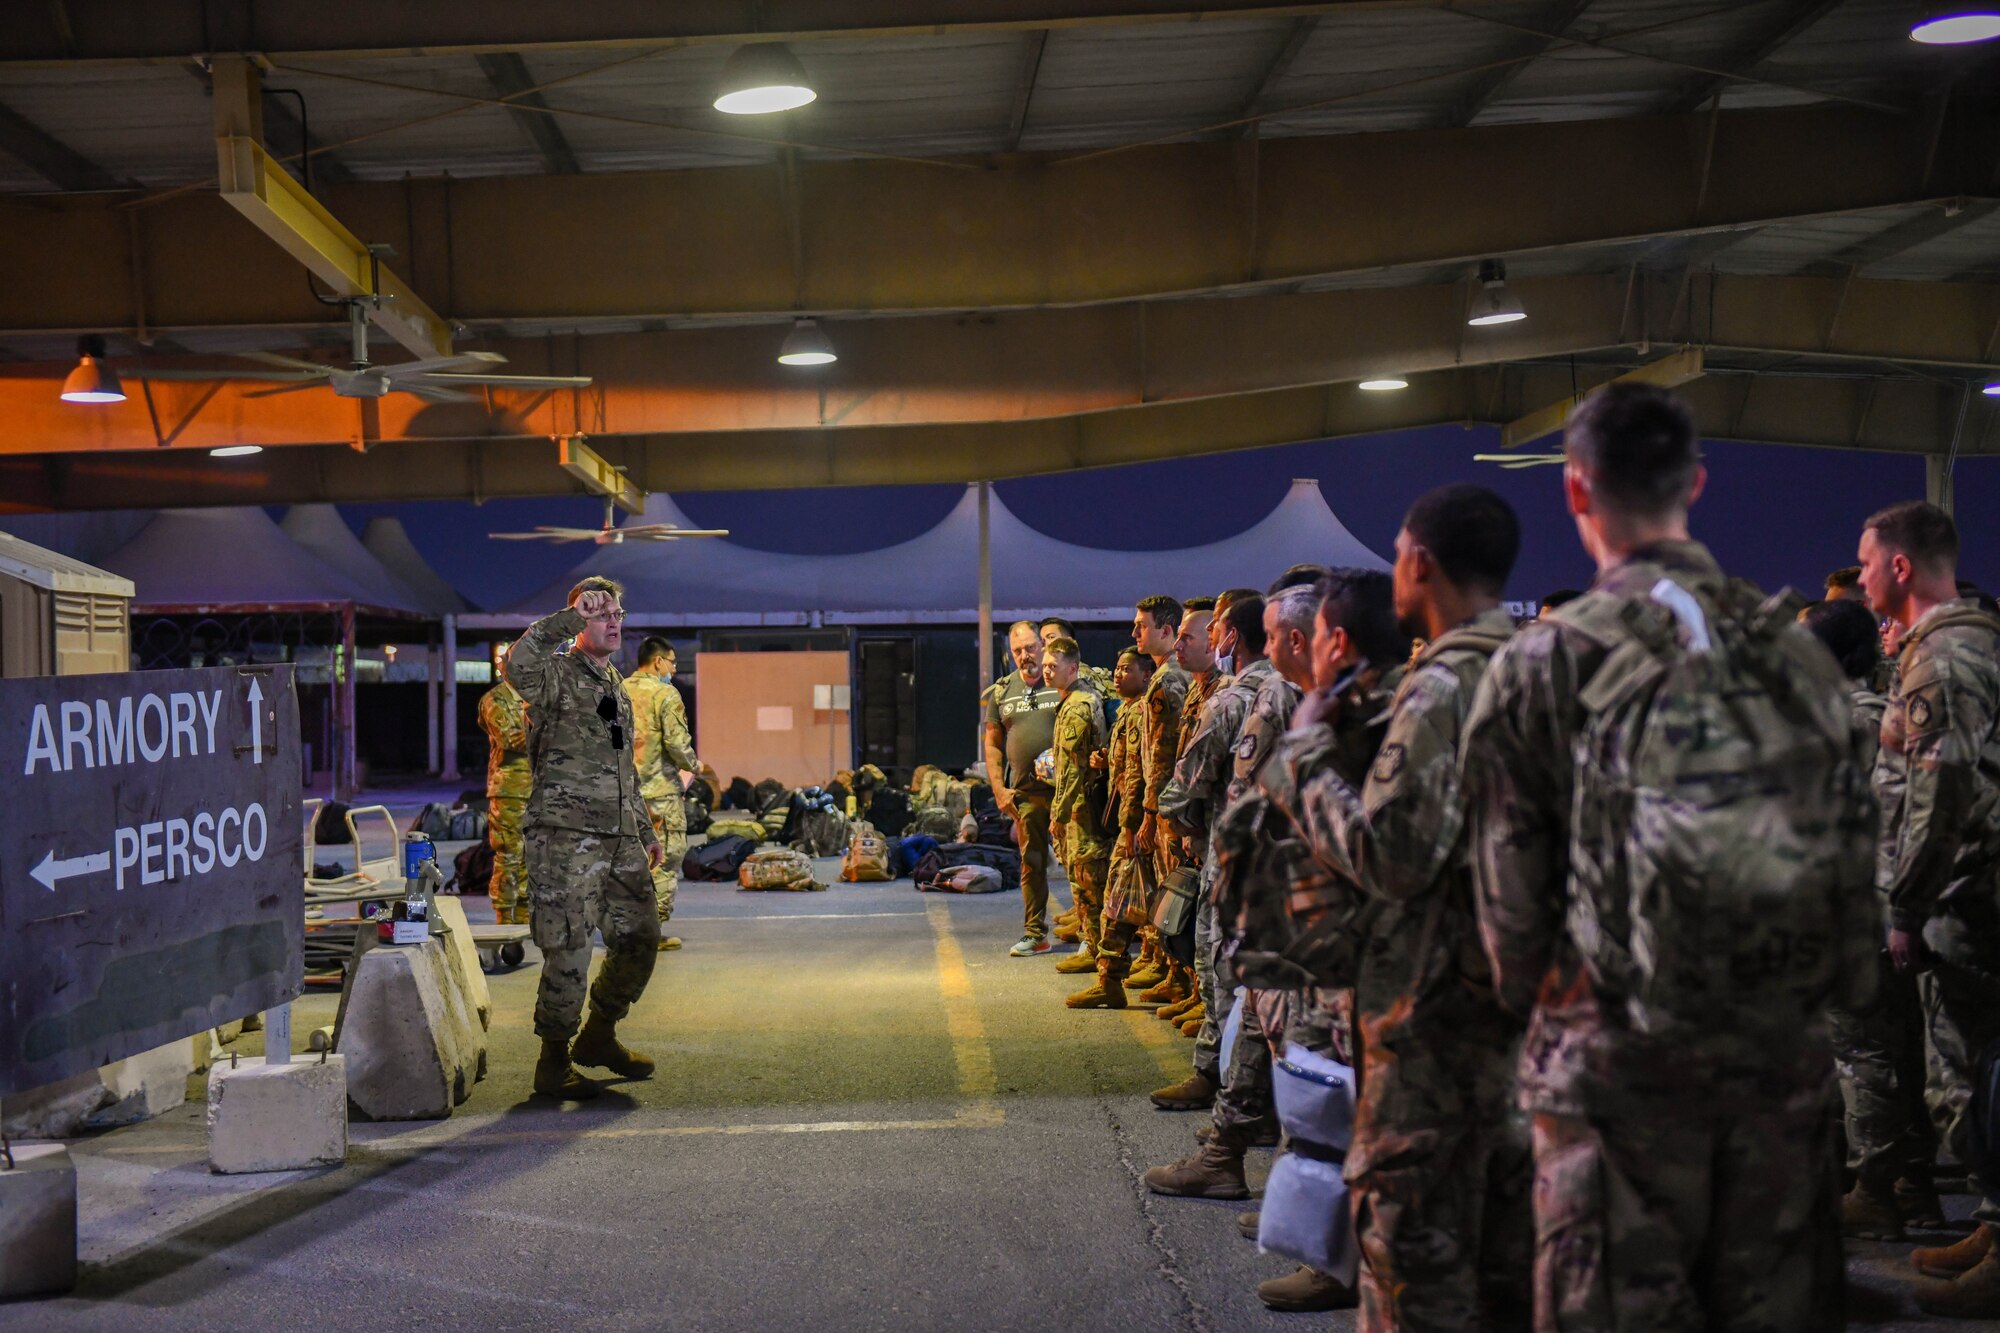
{"points": [[1441, 1166]]}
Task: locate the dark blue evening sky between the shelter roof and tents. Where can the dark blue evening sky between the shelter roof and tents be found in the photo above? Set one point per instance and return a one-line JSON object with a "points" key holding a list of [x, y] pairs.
{"points": [[1775, 515]]}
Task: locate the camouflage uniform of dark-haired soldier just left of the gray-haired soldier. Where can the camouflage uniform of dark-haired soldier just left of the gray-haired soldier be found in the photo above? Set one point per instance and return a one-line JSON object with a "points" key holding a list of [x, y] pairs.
{"points": [[1195, 798]]}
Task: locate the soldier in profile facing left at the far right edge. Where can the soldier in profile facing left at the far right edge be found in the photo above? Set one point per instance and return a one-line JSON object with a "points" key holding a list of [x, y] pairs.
{"points": [[1939, 780]]}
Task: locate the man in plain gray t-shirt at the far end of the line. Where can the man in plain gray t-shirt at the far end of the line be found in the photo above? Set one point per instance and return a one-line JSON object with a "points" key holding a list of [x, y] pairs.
{"points": [[1021, 724]]}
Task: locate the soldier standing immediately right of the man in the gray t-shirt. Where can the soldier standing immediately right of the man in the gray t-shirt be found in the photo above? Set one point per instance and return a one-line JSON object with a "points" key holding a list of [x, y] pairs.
{"points": [[1077, 812]]}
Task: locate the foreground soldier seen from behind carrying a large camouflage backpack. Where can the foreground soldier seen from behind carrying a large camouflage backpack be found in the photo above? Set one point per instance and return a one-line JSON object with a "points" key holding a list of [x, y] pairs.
{"points": [[1677, 1064]]}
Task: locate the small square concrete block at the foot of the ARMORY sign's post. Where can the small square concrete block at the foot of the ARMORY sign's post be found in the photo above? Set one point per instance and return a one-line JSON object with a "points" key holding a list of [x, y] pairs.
{"points": [[279, 1118]]}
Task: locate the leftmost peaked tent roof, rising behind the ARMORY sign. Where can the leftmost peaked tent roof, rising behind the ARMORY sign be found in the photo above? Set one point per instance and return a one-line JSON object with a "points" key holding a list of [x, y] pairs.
{"points": [[227, 557]]}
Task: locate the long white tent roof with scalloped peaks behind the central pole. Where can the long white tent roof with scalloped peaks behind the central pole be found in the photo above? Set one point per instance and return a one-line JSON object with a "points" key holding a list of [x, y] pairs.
{"points": [[935, 575]]}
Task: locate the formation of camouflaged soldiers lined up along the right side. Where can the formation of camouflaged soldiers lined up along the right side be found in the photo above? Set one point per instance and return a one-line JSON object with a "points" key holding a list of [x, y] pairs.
{"points": [[1609, 912]]}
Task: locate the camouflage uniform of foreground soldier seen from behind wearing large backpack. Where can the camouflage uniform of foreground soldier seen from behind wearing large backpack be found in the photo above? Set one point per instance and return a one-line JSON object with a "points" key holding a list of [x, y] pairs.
{"points": [[1681, 1182]]}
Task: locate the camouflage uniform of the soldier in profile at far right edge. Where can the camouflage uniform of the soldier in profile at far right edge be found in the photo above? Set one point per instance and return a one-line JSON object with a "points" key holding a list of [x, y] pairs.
{"points": [[1939, 782]]}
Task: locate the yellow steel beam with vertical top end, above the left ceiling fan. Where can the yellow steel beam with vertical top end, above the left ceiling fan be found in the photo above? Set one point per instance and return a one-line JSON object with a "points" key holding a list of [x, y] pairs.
{"points": [[265, 193]]}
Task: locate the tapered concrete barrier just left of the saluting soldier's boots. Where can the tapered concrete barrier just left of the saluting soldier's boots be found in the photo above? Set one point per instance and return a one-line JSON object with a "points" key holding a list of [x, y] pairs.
{"points": [[401, 1040]]}
